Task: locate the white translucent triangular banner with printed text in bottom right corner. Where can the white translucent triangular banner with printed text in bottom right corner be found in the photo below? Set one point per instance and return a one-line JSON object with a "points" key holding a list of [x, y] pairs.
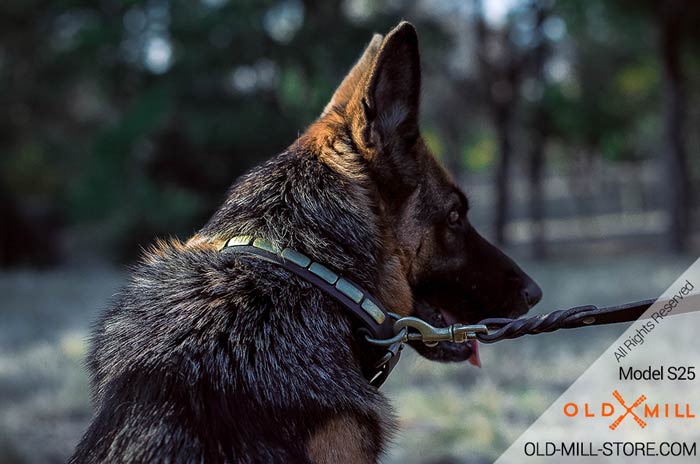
{"points": [[639, 402]]}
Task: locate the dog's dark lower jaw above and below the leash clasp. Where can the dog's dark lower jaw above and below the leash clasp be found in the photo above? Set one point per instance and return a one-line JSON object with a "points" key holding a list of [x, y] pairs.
{"points": [[444, 351]]}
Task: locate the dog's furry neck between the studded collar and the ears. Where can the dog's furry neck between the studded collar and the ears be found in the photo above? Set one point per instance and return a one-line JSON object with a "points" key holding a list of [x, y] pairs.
{"points": [[348, 229]]}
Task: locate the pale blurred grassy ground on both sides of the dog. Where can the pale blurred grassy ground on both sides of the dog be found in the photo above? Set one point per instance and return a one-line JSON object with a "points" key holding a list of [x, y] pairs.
{"points": [[448, 413]]}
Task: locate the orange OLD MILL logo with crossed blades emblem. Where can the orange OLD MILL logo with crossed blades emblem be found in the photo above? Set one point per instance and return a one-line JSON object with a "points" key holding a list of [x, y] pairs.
{"points": [[638, 411]]}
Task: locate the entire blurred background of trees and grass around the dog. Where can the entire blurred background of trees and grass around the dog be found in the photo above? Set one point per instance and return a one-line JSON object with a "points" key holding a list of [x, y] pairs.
{"points": [[572, 126]]}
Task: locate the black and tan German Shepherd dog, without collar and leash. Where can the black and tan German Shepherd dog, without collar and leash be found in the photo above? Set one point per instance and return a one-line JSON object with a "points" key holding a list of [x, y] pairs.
{"points": [[208, 356]]}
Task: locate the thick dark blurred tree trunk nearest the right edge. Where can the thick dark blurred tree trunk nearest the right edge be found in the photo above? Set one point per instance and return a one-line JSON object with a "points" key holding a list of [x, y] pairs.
{"points": [[670, 18]]}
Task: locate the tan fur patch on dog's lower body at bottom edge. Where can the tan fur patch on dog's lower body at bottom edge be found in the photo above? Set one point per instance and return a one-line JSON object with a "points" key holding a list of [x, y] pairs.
{"points": [[341, 440]]}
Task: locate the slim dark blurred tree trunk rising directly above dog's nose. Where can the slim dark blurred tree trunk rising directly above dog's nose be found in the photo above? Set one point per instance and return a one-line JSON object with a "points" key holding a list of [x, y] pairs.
{"points": [[539, 133]]}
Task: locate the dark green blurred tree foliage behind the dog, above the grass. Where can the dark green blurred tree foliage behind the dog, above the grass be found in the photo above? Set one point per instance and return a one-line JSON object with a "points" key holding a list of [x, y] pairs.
{"points": [[121, 152]]}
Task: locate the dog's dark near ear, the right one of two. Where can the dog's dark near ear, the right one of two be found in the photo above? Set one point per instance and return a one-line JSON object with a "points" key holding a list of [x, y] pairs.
{"points": [[385, 106]]}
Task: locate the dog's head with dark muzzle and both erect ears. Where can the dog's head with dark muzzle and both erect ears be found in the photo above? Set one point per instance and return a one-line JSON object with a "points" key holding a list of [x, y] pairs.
{"points": [[452, 273]]}
